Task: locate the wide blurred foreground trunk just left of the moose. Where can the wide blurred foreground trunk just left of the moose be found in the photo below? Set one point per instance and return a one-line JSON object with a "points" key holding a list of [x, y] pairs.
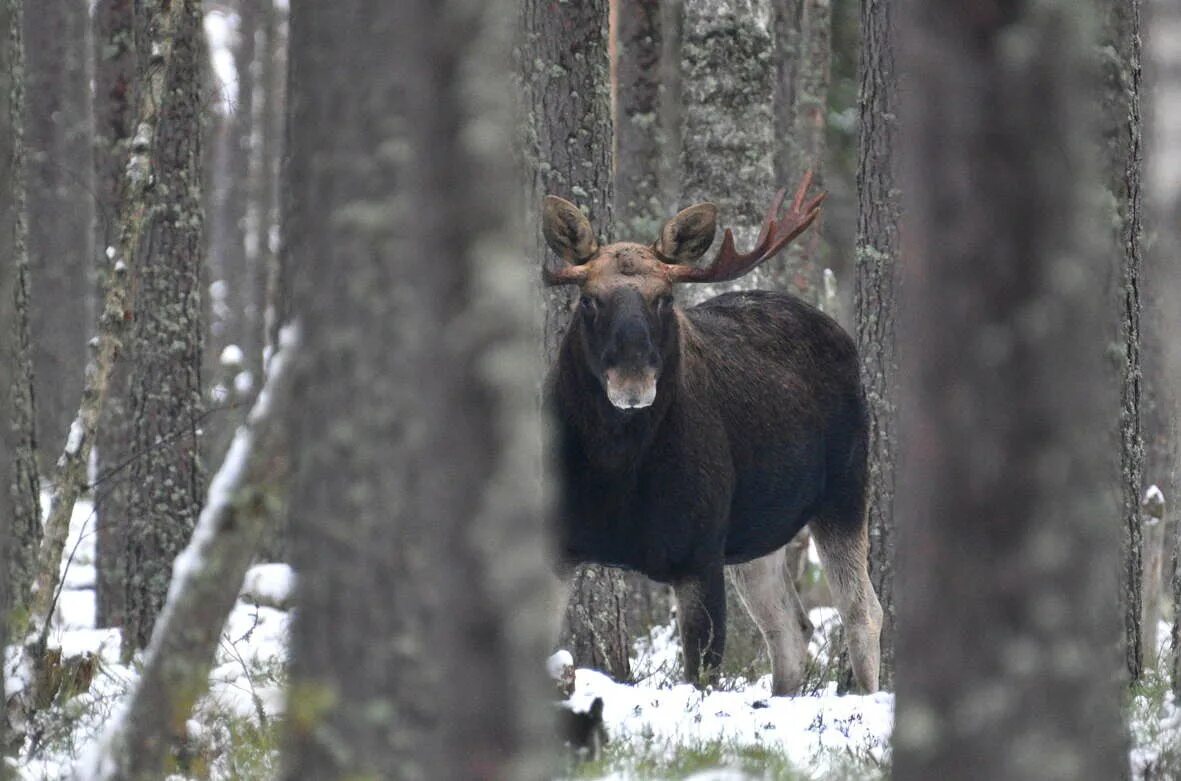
{"points": [[416, 512]]}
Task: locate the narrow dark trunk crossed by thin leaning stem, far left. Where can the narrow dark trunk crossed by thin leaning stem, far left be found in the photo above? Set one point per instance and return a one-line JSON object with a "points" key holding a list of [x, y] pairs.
{"points": [[115, 79]]}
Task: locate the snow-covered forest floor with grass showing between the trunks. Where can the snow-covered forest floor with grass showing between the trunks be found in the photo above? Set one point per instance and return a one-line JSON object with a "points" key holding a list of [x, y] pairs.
{"points": [[657, 727]]}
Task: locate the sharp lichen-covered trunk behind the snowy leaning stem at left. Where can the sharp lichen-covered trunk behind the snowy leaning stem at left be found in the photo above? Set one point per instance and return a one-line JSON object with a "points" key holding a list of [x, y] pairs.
{"points": [[167, 478]]}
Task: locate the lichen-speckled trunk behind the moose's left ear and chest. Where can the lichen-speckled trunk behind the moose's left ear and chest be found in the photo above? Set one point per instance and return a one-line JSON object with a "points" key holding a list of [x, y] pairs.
{"points": [[569, 153]]}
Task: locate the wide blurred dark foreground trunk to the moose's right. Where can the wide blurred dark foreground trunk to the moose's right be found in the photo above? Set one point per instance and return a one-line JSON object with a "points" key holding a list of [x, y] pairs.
{"points": [[1007, 648]]}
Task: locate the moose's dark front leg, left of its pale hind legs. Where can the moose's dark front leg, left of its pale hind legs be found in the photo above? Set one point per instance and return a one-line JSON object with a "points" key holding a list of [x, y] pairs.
{"points": [[702, 614]]}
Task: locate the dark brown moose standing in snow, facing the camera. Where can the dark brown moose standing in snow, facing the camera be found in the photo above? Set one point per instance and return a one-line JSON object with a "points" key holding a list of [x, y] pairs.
{"points": [[694, 439]]}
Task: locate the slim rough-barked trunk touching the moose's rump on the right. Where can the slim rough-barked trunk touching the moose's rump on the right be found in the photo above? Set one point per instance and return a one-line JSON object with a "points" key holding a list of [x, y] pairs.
{"points": [[879, 212]]}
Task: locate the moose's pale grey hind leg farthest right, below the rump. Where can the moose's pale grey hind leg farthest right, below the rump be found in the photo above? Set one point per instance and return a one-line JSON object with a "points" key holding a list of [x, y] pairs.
{"points": [[845, 556]]}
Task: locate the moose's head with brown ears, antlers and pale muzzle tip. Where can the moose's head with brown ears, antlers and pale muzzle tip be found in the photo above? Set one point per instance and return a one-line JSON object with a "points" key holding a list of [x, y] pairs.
{"points": [[627, 320]]}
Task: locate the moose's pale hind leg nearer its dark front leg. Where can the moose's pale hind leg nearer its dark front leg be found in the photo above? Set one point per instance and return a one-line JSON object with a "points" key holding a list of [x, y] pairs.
{"points": [[766, 589]]}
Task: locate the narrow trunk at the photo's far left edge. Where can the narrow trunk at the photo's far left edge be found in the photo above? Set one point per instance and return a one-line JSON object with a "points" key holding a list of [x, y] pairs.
{"points": [[23, 483]]}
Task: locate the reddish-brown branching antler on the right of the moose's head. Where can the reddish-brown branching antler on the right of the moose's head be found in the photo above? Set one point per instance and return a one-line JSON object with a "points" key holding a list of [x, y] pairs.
{"points": [[775, 236]]}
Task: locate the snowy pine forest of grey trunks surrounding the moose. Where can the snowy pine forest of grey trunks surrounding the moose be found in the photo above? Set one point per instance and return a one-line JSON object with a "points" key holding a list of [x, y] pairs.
{"points": [[272, 336]]}
